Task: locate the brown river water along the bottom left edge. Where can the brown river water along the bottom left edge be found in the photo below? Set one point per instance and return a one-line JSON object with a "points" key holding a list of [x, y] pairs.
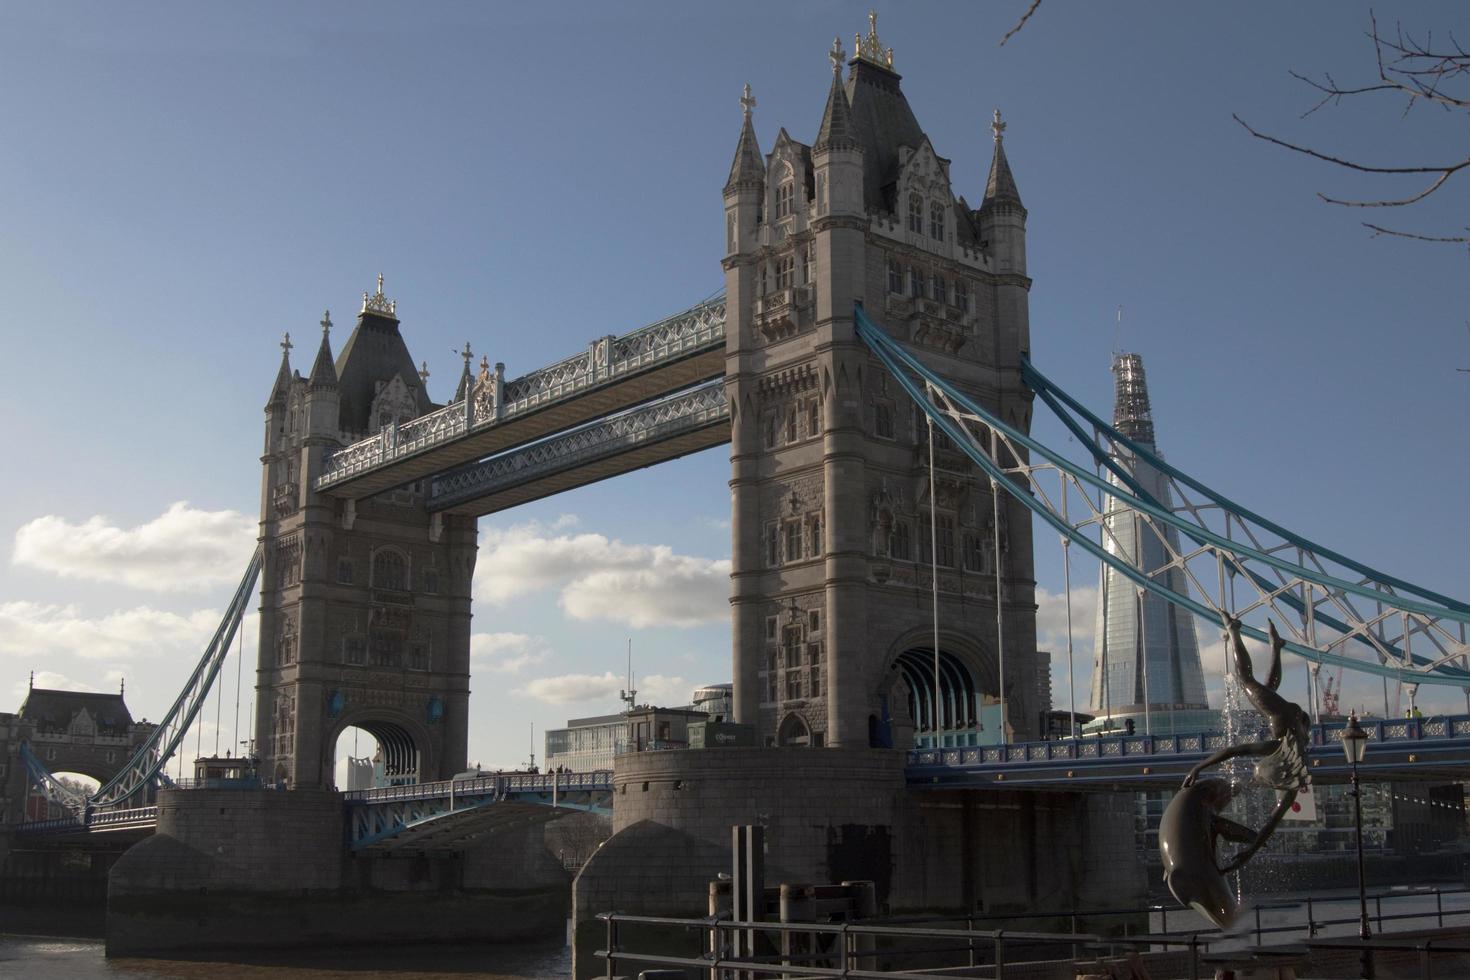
{"points": [[55, 959]]}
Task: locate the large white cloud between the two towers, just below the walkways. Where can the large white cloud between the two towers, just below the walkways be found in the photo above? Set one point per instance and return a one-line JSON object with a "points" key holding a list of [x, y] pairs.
{"points": [[600, 578]]}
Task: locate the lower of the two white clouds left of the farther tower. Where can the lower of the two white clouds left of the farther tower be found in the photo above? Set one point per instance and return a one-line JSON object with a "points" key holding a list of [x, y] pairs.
{"points": [[35, 630]]}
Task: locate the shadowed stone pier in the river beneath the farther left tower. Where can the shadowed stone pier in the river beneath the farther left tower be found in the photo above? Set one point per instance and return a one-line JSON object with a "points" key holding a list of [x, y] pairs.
{"points": [[268, 869]]}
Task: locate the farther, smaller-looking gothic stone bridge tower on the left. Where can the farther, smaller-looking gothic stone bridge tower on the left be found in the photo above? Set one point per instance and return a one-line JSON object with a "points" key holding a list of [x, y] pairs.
{"points": [[365, 606]]}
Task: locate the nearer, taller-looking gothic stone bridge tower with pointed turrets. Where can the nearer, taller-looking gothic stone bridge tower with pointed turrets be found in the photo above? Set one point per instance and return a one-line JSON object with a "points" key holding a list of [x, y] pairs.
{"points": [[831, 586]]}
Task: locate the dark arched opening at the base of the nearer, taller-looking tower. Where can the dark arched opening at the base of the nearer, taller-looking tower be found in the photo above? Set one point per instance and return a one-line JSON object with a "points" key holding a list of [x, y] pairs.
{"points": [[958, 718]]}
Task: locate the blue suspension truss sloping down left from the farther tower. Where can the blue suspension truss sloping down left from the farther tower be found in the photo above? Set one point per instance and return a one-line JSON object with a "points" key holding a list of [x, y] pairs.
{"points": [[145, 771]]}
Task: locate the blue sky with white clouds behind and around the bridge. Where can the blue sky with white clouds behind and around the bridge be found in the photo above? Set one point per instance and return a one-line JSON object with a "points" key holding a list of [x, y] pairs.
{"points": [[183, 183]]}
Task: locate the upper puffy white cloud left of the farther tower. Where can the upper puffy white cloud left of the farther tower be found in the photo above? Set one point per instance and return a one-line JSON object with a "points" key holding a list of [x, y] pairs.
{"points": [[183, 550]]}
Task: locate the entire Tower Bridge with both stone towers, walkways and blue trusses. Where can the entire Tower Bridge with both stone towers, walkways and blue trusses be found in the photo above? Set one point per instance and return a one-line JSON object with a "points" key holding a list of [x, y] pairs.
{"points": [[870, 365]]}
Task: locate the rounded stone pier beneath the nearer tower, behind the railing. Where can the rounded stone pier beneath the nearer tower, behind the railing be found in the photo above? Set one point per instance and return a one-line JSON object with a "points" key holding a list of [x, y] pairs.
{"points": [[846, 815]]}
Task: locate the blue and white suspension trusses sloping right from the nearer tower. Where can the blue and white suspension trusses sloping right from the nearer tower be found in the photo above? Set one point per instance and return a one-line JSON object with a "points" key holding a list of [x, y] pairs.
{"points": [[1334, 610]]}
